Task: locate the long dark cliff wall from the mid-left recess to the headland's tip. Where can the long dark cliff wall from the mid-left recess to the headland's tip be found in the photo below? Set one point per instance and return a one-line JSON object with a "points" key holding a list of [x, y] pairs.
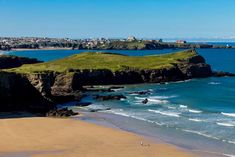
{"points": [[194, 67]]}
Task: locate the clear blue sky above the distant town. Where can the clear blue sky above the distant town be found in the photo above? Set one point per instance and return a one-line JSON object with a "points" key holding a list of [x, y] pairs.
{"points": [[118, 18]]}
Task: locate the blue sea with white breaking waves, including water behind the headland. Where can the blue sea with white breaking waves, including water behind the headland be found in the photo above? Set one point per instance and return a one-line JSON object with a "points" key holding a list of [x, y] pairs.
{"points": [[198, 114]]}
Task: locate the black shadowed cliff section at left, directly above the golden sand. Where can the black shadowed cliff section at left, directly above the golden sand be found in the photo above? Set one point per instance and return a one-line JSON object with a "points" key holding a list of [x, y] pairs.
{"points": [[17, 93]]}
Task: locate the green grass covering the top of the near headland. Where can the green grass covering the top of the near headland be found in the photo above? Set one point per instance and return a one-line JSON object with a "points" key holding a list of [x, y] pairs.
{"points": [[114, 62]]}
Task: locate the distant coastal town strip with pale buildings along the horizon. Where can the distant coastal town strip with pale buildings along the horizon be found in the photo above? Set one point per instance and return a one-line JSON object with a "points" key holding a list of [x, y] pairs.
{"points": [[130, 43]]}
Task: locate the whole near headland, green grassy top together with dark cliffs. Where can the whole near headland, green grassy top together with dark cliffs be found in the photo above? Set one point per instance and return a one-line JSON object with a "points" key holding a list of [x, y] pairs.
{"points": [[40, 86]]}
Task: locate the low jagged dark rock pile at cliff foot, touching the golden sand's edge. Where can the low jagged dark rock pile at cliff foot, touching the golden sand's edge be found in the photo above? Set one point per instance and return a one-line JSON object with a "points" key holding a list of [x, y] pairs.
{"points": [[65, 112]]}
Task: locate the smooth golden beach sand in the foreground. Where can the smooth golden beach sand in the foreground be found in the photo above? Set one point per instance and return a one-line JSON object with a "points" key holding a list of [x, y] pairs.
{"points": [[50, 137]]}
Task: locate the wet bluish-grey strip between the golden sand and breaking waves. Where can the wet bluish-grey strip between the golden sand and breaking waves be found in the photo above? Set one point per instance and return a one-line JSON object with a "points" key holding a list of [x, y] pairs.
{"points": [[158, 135]]}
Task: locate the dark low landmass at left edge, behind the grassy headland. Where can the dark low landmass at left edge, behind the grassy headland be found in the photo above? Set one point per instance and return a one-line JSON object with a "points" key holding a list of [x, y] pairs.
{"points": [[7, 62]]}
